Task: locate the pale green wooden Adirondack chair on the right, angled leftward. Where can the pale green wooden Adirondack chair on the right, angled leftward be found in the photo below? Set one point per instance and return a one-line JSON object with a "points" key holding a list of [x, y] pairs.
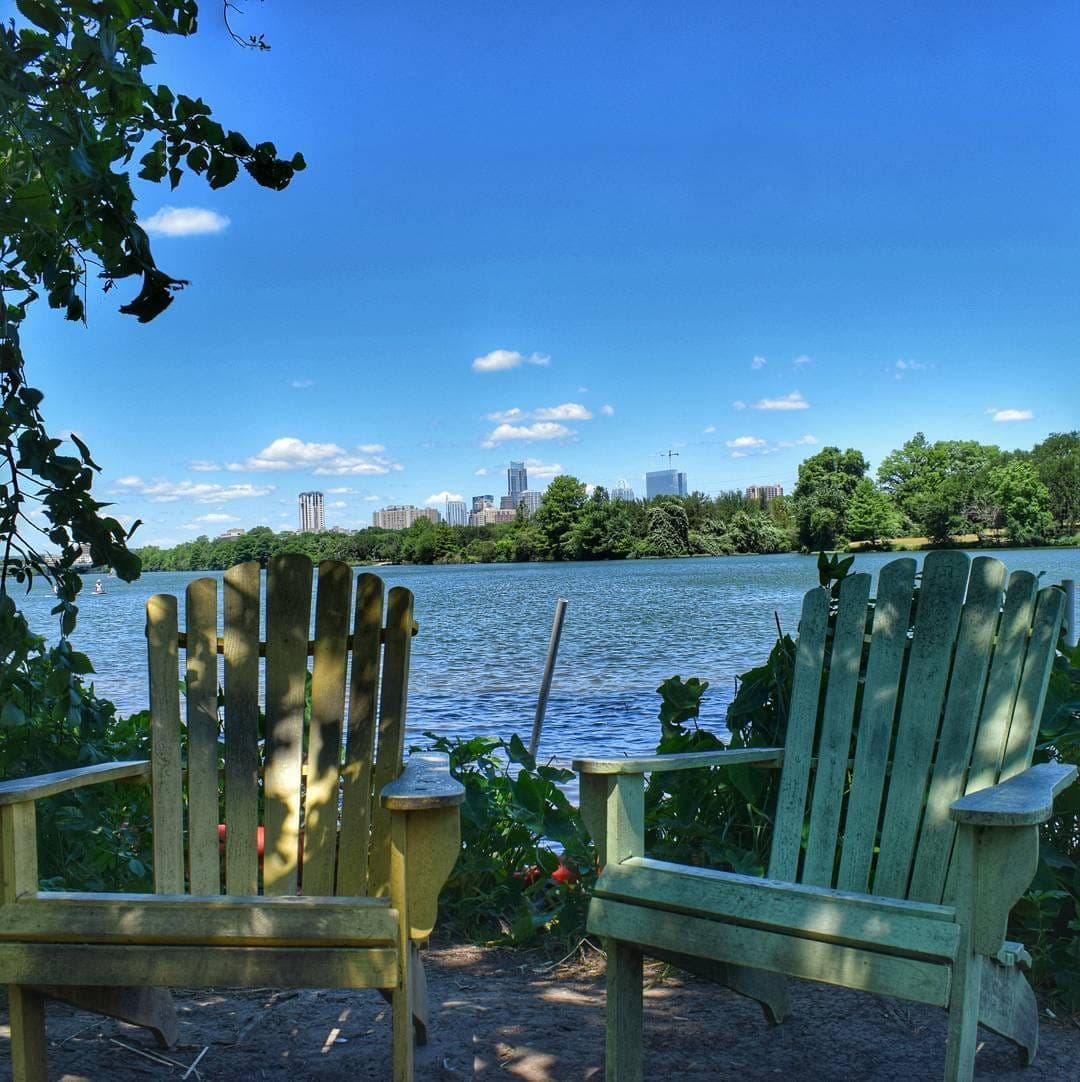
{"points": [[906, 825]]}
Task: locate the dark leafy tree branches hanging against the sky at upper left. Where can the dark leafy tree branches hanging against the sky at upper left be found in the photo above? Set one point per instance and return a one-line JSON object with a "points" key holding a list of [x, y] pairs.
{"points": [[75, 110]]}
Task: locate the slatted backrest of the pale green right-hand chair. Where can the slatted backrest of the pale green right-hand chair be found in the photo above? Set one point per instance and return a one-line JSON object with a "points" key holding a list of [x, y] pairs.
{"points": [[901, 706]]}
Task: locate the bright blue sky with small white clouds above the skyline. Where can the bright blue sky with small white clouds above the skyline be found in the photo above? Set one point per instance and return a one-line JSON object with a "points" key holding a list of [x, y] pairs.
{"points": [[582, 236]]}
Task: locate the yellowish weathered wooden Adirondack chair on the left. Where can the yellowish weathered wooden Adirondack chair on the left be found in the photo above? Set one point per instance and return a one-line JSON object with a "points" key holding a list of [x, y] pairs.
{"points": [[367, 842]]}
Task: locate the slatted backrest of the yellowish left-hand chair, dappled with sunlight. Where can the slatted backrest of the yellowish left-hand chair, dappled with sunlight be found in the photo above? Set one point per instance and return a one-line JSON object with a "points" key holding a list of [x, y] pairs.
{"points": [[295, 772]]}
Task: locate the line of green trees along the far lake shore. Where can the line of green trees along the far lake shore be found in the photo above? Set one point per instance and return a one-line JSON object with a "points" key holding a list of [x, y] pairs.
{"points": [[943, 493]]}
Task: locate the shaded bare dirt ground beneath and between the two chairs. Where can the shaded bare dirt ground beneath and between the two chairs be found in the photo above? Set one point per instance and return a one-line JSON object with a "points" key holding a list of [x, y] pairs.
{"points": [[511, 1014]]}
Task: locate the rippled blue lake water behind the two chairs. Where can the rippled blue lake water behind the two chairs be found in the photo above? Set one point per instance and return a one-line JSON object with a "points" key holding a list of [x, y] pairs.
{"points": [[484, 631]]}
